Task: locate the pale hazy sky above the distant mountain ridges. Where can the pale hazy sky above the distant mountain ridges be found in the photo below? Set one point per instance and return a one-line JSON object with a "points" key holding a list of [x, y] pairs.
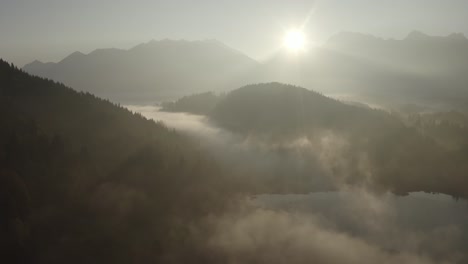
{"points": [[48, 30]]}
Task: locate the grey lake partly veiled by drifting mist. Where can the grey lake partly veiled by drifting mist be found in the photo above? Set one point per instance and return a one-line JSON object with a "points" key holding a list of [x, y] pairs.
{"points": [[424, 226]]}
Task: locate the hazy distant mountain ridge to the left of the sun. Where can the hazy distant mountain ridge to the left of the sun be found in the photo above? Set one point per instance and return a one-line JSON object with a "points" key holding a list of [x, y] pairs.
{"points": [[151, 71]]}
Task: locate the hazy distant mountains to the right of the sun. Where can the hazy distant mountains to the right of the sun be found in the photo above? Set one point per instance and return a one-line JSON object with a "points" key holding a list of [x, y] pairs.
{"points": [[419, 69]]}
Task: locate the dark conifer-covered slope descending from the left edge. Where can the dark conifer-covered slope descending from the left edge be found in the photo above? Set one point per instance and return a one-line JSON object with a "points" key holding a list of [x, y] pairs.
{"points": [[85, 181]]}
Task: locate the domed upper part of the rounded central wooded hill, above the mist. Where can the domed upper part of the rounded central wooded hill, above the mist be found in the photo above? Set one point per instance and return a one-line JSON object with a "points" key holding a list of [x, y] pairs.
{"points": [[280, 108]]}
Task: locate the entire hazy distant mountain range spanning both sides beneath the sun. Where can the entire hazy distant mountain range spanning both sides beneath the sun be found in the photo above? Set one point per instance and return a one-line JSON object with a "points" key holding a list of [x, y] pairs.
{"points": [[419, 69]]}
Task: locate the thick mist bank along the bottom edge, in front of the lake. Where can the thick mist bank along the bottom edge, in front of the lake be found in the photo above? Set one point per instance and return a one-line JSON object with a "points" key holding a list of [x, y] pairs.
{"points": [[267, 236]]}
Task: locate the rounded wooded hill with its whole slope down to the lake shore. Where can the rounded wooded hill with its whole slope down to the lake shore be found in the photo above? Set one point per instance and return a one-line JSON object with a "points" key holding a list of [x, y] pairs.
{"points": [[359, 145]]}
